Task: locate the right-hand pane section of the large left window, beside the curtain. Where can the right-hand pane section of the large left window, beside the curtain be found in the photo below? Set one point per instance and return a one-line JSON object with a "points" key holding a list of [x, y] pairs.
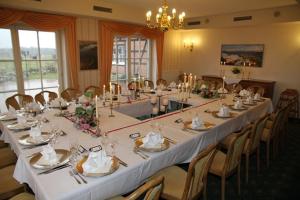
{"points": [[39, 61]]}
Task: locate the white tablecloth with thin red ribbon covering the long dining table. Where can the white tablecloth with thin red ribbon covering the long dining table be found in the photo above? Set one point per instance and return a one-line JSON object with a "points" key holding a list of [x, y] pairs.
{"points": [[60, 185]]}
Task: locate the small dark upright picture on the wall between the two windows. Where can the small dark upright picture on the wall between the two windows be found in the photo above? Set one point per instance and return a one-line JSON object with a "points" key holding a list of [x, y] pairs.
{"points": [[88, 55]]}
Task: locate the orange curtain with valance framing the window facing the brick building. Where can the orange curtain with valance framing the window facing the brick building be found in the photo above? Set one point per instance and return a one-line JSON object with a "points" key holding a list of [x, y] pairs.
{"points": [[107, 31]]}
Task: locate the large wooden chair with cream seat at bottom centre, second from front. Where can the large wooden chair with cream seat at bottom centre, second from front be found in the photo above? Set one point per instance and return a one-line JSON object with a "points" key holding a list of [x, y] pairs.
{"points": [[180, 184]]}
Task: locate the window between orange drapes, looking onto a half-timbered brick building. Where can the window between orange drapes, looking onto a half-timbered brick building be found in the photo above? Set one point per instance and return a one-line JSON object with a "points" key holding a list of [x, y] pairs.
{"points": [[131, 58]]}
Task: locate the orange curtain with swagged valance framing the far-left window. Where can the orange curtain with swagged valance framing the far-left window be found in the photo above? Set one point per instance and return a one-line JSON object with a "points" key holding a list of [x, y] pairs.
{"points": [[47, 22]]}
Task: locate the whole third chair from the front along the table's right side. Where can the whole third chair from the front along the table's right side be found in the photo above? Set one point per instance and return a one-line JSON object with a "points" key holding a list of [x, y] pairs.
{"points": [[225, 164]]}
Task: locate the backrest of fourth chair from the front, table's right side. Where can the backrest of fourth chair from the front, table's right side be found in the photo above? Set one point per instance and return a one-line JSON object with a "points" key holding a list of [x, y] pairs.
{"points": [[256, 132]]}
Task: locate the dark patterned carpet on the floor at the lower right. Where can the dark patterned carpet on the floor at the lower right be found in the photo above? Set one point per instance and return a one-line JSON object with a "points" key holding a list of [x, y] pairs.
{"points": [[279, 182]]}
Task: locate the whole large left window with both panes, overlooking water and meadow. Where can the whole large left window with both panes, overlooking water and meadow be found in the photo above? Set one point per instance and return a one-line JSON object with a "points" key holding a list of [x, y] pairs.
{"points": [[30, 67]]}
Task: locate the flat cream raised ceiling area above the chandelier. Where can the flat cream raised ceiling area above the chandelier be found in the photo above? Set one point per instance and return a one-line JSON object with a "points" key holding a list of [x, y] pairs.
{"points": [[197, 8]]}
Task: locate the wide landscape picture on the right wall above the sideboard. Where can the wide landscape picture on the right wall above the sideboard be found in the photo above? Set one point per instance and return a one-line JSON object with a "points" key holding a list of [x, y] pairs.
{"points": [[242, 54]]}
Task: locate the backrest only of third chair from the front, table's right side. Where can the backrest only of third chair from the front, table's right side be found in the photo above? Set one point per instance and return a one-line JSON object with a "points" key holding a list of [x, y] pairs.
{"points": [[235, 149]]}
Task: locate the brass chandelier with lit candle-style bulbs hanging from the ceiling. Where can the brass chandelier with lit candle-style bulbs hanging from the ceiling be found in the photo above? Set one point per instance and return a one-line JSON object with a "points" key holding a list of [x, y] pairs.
{"points": [[163, 21]]}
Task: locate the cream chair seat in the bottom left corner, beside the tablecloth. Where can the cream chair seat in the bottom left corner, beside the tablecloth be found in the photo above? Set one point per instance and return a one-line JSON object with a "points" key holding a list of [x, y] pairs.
{"points": [[9, 187]]}
